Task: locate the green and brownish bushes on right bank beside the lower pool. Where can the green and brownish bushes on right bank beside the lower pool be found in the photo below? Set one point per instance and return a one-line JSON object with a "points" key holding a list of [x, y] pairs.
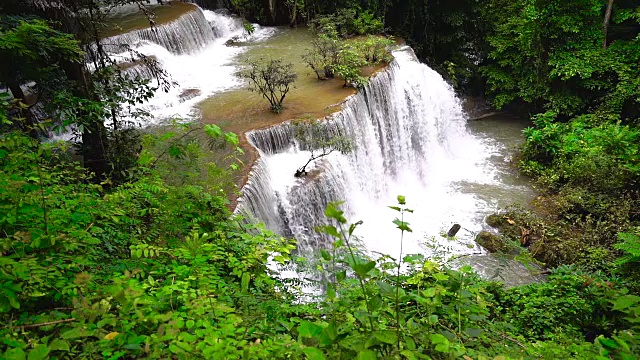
{"points": [[593, 163]]}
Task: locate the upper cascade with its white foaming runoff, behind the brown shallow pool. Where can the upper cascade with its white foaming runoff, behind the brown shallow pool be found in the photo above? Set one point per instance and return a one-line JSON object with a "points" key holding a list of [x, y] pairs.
{"points": [[192, 51]]}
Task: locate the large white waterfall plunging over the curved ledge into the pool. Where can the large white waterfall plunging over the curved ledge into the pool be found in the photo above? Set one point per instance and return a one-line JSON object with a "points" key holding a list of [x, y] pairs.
{"points": [[409, 133]]}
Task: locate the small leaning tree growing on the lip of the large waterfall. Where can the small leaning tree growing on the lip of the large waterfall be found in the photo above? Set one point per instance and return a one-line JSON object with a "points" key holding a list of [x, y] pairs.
{"points": [[320, 140]]}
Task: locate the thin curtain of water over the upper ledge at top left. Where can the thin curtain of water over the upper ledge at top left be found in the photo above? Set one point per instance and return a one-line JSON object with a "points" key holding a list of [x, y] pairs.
{"points": [[187, 34]]}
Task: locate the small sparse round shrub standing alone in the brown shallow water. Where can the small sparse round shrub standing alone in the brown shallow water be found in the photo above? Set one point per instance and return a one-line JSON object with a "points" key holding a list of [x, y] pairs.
{"points": [[272, 79]]}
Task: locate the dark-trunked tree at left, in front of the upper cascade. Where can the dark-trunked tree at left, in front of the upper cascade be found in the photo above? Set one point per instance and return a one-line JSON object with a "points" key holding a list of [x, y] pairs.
{"points": [[98, 90]]}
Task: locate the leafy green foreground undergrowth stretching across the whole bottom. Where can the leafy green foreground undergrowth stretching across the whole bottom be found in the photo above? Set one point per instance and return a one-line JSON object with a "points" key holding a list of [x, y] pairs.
{"points": [[153, 270]]}
